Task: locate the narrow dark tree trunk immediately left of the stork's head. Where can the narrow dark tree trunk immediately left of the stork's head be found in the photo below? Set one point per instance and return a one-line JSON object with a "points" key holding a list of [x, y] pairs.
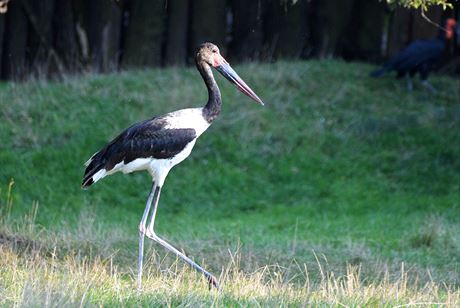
{"points": [[176, 32]]}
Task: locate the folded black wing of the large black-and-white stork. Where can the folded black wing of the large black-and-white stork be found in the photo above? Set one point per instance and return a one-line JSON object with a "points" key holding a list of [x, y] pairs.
{"points": [[142, 140]]}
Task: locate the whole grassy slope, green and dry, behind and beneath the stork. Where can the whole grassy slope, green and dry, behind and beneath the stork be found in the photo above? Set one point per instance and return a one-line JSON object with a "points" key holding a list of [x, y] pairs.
{"points": [[343, 190]]}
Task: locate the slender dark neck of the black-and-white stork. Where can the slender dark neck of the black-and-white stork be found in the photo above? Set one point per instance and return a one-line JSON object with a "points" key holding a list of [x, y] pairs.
{"points": [[212, 108]]}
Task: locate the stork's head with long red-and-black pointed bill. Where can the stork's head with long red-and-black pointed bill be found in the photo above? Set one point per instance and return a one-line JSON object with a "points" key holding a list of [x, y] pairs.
{"points": [[210, 54]]}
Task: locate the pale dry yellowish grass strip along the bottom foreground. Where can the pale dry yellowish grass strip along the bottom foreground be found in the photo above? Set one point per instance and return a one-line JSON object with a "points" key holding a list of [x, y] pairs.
{"points": [[46, 276]]}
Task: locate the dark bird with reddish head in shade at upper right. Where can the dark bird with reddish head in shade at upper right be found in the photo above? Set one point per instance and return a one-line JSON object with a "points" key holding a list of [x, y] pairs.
{"points": [[419, 57]]}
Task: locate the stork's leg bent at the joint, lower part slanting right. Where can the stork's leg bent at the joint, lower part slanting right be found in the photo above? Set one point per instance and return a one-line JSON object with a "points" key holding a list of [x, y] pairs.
{"points": [[151, 234]]}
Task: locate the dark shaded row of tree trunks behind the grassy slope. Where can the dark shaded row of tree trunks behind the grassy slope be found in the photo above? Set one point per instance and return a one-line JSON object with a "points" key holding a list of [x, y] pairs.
{"points": [[53, 37]]}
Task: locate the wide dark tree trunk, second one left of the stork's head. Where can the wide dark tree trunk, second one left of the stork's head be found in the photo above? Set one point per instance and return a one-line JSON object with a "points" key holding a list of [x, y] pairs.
{"points": [[144, 33]]}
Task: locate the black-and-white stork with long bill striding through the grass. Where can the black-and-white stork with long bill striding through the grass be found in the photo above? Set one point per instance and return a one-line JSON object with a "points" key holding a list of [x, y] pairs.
{"points": [[157, 144]]}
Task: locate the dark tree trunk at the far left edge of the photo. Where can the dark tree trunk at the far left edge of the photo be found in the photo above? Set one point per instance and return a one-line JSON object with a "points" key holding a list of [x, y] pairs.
{"points": [[15, 42]]}
